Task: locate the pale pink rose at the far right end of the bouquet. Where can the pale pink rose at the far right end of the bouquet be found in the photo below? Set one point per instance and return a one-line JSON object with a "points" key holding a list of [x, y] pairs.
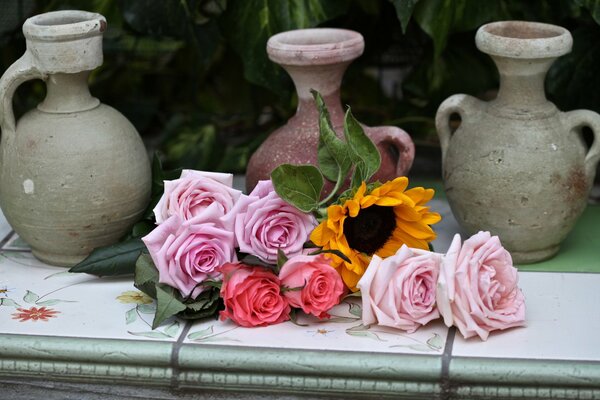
{"points": [[477, 288]]}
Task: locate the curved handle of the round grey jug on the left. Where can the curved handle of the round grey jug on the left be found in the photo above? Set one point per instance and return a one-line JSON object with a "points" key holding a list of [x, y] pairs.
{"points": [[20, 71]]}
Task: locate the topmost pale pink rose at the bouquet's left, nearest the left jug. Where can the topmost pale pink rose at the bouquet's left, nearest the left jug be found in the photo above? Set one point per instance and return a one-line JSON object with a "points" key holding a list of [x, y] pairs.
{"points": [[193, 192]]}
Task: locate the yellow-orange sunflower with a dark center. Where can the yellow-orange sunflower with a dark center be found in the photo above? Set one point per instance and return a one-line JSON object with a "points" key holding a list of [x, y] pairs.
{"points": [[378, 221]]}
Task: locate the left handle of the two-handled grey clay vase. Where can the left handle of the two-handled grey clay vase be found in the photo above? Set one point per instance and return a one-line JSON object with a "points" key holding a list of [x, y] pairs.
{"points": [[461, 104]]}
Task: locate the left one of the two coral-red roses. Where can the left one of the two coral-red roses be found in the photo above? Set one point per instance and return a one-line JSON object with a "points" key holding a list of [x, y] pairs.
{"points": [[252, 296]]}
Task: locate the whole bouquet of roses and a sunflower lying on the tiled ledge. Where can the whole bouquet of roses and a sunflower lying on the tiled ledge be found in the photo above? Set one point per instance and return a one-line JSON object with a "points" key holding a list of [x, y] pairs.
{"points": [[287, 247]]}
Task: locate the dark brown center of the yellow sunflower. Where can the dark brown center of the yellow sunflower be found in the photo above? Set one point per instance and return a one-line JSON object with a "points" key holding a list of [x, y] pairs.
{"points": [[370, 229]]}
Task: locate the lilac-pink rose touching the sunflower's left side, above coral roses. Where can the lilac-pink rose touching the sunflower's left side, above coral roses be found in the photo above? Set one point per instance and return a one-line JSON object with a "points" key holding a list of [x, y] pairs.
{"points": [[265, 223]]}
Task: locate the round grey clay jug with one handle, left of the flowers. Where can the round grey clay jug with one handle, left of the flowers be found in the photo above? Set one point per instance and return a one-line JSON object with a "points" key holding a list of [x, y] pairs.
{"points": [[74, 173]]}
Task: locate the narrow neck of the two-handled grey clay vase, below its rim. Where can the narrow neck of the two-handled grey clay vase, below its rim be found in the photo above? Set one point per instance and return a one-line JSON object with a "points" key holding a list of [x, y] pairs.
{"points": [[522, 82]]}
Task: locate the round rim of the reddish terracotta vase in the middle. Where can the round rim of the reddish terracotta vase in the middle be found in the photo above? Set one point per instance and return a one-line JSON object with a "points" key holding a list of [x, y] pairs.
{"points": [[315, 46]]}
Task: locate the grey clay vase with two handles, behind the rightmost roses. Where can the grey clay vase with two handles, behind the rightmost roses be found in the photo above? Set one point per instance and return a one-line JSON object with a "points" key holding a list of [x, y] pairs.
{"points": [[517, 166]]}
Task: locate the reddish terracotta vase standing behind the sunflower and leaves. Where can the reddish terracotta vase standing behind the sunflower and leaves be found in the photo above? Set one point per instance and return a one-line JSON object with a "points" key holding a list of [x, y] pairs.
{"points": [[317, 59]]}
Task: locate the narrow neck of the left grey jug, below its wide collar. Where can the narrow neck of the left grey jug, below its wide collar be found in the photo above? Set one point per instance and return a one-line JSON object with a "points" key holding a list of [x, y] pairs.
{"points": [[67, 93]]}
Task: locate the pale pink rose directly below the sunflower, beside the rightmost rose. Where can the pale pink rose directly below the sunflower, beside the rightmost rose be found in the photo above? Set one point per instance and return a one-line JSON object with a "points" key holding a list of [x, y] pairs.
{"points": [[399, 291]]}
